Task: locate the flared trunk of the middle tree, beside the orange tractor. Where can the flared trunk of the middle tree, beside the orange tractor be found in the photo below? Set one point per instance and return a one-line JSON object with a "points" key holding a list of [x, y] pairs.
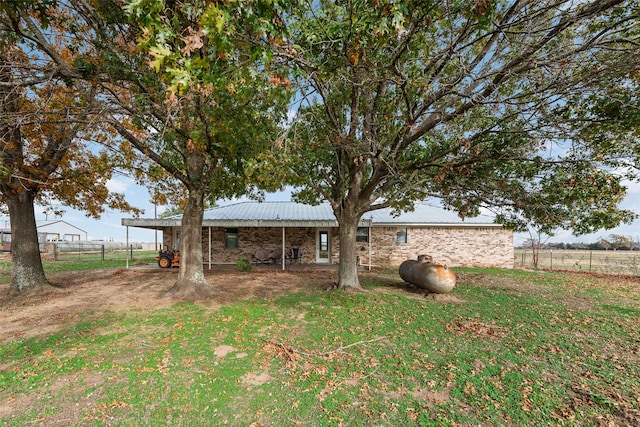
{"points": [[191, 283]]}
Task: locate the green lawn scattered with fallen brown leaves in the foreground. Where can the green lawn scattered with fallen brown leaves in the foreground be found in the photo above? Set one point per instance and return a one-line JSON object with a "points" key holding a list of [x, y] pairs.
{"points": [[505, 348]]}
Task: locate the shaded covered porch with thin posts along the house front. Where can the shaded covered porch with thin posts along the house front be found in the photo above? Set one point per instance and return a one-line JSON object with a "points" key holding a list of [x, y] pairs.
{"points": [[268, 244]]}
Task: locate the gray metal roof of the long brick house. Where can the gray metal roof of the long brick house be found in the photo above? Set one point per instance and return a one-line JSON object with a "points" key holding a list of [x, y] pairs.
{"points": [[292, 214]]}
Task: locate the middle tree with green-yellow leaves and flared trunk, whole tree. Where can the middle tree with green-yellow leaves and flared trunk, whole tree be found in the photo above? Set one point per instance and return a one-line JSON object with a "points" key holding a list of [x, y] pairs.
{"points": [[203, 100]]}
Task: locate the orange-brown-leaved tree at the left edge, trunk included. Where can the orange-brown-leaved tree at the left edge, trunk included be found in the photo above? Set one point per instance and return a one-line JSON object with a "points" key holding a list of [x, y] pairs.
{"points": [[48, 106]]}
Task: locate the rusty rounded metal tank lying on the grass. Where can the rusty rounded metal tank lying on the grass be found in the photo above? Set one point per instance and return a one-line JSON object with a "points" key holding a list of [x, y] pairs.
{"points": [[425, 274]]}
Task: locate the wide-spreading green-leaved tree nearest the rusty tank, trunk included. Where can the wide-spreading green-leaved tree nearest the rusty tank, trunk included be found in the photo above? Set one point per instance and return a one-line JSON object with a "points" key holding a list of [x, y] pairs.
{"points": [[402, 101]]}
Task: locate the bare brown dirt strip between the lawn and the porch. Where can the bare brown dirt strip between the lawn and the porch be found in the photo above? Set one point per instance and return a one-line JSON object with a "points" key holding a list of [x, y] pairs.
{"points": [[85, 294]]}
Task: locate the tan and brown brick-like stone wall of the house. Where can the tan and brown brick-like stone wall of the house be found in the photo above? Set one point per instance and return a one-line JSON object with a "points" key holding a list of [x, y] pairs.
{"points": [[453, 246]]}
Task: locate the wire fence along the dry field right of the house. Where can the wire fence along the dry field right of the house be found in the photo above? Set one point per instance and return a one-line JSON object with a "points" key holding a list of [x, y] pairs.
{"points": [[607, 262]]}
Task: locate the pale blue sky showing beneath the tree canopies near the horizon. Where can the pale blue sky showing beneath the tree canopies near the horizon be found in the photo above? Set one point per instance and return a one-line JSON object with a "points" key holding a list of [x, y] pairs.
{"points": [[109, 227]]}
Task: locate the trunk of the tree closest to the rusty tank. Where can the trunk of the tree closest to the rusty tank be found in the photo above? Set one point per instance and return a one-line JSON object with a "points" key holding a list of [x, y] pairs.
{"points": [[348, 267]]}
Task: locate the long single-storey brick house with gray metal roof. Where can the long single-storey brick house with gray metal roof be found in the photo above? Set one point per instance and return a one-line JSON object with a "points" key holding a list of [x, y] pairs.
{"points": [[239, 230]]}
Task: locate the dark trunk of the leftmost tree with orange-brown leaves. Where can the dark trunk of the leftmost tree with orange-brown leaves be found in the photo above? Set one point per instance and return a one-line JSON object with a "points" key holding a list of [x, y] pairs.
{"points": [[27, 272]]}
